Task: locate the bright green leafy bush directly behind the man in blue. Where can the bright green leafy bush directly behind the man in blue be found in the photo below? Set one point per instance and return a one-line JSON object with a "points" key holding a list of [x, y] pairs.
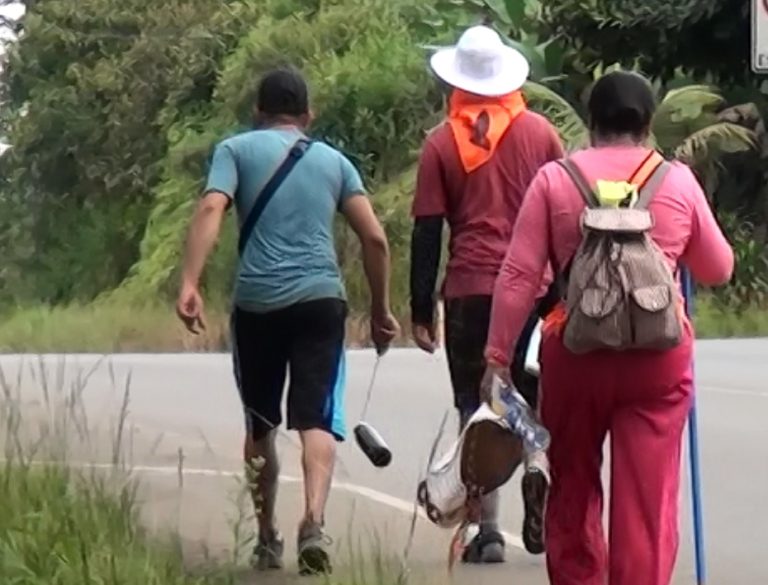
{"points": [[371, 95]]}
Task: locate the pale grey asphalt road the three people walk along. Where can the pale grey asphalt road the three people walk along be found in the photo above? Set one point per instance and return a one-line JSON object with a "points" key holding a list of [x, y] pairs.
{"points": [[185, 407]]}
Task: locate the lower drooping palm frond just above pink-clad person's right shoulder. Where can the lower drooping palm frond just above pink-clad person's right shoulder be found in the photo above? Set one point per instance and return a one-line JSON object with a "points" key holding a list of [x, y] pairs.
{"points": [[707, 144]]}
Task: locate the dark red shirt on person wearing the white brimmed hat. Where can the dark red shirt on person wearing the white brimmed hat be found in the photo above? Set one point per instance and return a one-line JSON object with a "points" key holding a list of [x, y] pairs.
{"points": [[481, 207]]}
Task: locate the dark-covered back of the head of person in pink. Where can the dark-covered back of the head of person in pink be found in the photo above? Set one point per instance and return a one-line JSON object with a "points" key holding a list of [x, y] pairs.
{"points": [[621, 102]]}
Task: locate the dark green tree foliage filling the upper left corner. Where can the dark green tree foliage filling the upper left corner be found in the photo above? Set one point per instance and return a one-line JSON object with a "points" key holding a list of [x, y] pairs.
{"points": [[88, 89]]}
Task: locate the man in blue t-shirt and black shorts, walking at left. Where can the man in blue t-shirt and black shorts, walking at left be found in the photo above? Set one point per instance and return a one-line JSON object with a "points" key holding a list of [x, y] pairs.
{"points": [[289, 300]]}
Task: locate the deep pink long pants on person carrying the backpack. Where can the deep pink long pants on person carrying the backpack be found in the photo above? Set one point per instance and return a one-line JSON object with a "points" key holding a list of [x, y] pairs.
{"points": [[642, 399]]}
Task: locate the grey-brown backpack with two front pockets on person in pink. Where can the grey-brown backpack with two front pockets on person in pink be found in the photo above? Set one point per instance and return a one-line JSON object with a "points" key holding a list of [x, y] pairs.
{"points": [[621, 293]]}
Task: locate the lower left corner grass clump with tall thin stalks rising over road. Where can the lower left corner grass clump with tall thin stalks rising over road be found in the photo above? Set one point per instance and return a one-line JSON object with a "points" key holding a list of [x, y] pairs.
{"points": [[61, 525]]}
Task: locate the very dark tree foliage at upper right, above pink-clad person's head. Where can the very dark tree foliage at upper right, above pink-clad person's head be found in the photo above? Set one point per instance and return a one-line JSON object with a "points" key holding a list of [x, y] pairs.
{"points": [[704, 38]]}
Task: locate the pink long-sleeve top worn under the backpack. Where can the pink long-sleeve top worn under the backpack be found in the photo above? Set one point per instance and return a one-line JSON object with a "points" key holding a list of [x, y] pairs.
{"points": [[549, 224]]}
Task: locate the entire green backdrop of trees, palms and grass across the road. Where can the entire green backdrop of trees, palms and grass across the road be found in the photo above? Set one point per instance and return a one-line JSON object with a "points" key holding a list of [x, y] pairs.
{"points": [[112, 107]]}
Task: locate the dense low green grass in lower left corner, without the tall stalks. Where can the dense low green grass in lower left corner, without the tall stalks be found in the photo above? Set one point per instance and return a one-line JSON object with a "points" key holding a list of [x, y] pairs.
{"points": [[59, 526]]}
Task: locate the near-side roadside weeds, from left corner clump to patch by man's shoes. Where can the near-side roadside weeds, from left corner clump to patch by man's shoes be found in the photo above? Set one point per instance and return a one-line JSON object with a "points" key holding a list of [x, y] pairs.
{"points": [[70, 501]]}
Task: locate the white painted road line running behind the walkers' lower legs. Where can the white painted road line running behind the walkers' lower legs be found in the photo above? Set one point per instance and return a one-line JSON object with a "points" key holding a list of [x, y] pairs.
{"points": [[358, 490]]}
